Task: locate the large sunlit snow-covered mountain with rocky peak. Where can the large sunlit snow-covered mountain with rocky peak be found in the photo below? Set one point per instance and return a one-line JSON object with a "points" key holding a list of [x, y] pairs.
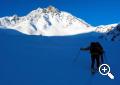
{"points": [[47, 22]]}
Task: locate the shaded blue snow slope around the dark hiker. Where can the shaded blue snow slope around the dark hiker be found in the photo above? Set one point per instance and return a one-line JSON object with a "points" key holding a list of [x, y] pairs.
{"points": [[40, 60]]}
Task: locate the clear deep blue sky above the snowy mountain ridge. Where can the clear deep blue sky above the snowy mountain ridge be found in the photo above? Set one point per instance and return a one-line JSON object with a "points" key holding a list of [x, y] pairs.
{"points": [[95, 12]]}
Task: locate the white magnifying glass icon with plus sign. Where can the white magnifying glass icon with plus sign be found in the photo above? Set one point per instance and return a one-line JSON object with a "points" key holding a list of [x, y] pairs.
{"points": [[104, 69]]}
